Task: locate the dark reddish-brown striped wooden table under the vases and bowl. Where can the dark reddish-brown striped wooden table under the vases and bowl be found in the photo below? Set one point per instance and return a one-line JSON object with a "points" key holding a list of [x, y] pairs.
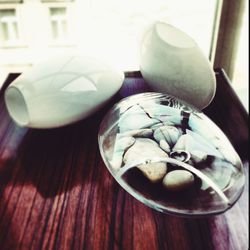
{"points": [[56, 193]]}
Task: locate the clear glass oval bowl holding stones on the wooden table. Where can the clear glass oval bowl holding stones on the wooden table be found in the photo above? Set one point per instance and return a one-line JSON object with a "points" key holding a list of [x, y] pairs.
{"points": [[170, 156]]}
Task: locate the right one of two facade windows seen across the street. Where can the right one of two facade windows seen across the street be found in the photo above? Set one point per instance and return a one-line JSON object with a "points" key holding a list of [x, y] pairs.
{"points": [[59, 29]]}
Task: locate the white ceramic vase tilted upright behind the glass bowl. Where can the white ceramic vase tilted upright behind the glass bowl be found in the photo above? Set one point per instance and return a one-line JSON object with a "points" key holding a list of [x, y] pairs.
{"points": [[172, 63]]}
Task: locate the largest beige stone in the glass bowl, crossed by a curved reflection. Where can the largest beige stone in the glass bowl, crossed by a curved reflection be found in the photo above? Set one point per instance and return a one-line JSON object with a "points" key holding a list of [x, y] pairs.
{"points": [[146, 149]]}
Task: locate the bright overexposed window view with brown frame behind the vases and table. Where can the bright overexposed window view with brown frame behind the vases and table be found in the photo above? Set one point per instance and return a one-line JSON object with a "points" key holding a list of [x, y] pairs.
{"points": [[31, 30]]}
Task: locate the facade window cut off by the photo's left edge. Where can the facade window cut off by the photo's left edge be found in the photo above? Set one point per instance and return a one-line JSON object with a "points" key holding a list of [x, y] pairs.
{"points": [[8, 27]]}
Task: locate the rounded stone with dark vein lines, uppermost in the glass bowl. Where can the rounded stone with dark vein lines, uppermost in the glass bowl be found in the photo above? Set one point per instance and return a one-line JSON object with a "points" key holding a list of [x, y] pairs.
{"points": [[168, 133]]}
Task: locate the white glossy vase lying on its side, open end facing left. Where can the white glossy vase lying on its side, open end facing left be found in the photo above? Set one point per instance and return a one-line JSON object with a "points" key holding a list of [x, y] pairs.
{"points": [[61, 90]]}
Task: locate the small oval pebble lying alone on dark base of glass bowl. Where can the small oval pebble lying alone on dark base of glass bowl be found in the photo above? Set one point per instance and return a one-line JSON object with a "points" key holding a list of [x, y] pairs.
{"points": [[178, 180]]}
